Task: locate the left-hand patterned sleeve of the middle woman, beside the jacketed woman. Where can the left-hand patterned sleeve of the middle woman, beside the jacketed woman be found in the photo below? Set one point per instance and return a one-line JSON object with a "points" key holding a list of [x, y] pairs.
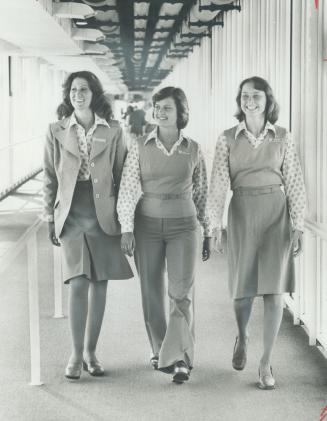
{"points": [[130, 189]]}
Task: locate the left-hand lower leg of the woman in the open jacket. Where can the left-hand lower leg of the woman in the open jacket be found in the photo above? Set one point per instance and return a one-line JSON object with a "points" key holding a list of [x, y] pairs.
{"points": [[78, 308]]}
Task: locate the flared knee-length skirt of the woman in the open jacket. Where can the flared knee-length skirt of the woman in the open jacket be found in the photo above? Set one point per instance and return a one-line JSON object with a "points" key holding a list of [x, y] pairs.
{"points": [[85, 248]]}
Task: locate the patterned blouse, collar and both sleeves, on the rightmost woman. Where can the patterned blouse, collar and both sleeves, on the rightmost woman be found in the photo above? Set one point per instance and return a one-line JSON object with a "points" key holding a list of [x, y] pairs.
{"points": [[291, 171]]}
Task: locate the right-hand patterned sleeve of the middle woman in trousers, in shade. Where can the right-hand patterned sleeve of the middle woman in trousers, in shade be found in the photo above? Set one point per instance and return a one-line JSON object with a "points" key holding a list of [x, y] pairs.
{"points": [[200, 194]]}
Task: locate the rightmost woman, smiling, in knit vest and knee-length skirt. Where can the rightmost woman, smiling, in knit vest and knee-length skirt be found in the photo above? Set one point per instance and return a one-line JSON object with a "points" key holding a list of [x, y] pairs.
{"points": [[257, 160]]}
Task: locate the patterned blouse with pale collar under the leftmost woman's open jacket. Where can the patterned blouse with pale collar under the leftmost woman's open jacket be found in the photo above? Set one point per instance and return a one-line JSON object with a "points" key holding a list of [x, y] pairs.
{"points": [[85, 144]]}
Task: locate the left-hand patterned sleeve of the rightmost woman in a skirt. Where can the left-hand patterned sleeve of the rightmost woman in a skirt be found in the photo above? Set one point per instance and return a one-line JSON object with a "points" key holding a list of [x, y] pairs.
{"points": [[219, 183]]}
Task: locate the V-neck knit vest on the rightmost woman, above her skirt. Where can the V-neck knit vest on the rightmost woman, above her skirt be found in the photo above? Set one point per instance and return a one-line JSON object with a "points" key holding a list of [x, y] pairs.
{"points": [[256, 167]]}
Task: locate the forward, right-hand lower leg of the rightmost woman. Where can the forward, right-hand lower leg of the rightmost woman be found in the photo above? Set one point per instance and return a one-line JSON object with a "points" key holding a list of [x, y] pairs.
{"points": [[273, 314]]}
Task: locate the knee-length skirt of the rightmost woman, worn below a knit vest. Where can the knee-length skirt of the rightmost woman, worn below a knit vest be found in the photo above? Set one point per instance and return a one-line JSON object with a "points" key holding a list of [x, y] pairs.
{"points": [[260, 250]]}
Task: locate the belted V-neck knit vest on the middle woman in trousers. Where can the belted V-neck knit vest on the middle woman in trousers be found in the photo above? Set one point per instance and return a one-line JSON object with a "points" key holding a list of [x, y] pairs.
{"points": [[167, 180]]}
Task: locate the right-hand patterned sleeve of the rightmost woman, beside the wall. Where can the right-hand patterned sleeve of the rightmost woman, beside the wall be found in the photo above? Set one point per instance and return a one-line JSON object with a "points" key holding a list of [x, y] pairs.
{"points": [[294, 184]]}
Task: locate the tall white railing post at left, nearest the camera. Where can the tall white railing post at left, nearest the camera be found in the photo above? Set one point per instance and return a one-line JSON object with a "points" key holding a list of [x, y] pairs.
{"points": [[34, 317]]}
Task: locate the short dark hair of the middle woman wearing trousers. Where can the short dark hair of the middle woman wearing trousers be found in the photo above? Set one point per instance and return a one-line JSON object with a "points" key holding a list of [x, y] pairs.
{"points": [[181, 103]]}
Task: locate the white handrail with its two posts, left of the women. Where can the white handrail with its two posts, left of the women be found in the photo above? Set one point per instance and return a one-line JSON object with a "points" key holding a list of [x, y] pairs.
{"points": [[29, 241]]}
